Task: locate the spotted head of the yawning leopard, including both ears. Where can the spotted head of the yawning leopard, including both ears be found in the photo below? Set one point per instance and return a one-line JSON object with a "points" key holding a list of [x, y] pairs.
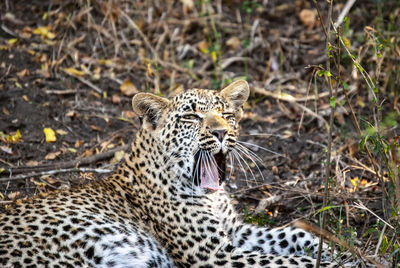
{"points": [[195, 130]]}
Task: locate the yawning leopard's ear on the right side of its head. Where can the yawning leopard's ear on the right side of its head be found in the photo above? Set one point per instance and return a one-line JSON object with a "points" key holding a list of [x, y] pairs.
{"points": [[236, 93]]}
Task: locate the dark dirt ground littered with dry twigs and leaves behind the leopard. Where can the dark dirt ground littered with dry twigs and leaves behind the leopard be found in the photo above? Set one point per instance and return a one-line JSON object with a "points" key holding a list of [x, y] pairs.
{"points": [[73, 66]]}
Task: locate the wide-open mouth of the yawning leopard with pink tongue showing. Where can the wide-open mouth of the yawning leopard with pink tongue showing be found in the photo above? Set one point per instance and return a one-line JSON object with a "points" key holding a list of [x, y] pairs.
{"points": [[209, 170]]}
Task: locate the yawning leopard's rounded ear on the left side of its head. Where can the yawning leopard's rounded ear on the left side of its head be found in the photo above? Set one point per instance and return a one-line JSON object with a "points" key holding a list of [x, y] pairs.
{"points": [[149, 107]]}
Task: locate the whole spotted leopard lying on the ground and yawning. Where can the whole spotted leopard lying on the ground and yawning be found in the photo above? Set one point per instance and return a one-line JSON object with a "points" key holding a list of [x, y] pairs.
{"points": [[163, 206]]}
